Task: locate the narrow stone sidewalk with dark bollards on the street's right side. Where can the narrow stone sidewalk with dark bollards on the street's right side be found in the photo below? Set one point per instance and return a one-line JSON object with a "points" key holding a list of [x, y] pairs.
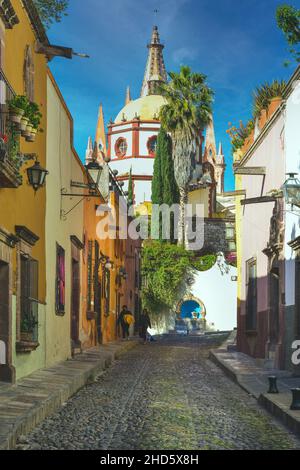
{"points": [[254, 380]]}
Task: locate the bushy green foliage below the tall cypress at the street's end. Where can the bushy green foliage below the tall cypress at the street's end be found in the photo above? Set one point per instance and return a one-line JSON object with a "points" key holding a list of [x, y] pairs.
{"points": [[164, 269]]}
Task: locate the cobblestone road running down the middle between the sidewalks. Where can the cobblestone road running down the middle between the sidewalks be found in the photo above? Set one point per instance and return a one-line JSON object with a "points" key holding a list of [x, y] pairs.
{"points": [[163, 395]]}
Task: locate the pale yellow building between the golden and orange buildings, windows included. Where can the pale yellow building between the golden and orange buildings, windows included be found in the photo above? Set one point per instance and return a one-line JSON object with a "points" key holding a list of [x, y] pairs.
{"points": [[64, 231]]}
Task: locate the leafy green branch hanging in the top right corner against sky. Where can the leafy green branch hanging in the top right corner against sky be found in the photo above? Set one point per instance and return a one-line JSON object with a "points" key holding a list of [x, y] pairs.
{"points": [[288, 20]]}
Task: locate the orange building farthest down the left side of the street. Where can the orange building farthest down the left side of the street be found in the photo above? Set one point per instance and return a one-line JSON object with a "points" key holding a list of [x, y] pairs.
{"points": [[111, 276]]}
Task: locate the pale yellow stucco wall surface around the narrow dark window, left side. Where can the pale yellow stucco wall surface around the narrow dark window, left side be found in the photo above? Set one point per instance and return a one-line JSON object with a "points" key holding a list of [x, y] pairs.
{"points": [[63, 167]]}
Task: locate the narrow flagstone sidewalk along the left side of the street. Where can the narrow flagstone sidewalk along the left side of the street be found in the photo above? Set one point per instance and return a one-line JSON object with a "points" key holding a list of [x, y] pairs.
{"points": [[33, 398]]}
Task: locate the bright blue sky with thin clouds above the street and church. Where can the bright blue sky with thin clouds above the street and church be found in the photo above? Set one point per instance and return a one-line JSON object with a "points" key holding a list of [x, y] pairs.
{"points": [[236, 43]]}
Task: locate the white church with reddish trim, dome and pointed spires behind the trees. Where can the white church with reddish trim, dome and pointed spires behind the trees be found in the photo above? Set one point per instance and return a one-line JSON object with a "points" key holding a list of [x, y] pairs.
{"points": [[132, 136]]}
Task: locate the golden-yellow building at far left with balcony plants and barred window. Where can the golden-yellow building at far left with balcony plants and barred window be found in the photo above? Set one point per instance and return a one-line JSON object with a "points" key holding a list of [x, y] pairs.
{"points": [[22, 211]]}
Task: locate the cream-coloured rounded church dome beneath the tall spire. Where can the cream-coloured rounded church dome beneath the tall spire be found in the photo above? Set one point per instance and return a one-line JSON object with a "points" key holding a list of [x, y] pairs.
{"points": [[146, 108]]}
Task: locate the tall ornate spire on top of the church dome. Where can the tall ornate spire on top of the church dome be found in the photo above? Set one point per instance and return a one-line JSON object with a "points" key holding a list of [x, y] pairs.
{"points": [[155, 72]]}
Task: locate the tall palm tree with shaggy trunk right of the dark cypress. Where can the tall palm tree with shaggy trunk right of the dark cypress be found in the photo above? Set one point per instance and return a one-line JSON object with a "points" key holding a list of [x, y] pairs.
{"points": [[186, 113]]}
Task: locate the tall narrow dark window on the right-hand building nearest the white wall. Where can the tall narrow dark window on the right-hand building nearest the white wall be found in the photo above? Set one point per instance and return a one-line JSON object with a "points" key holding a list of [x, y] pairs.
{"points": [[251, 296]]}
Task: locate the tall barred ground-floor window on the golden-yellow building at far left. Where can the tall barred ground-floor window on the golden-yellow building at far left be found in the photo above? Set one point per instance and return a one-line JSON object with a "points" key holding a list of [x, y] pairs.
{"points": [[29, 298]]}
